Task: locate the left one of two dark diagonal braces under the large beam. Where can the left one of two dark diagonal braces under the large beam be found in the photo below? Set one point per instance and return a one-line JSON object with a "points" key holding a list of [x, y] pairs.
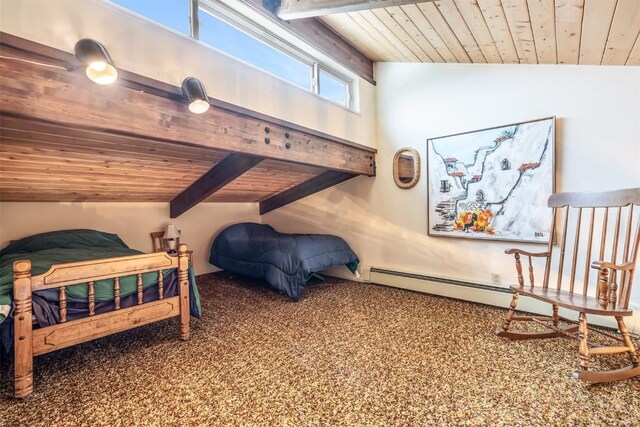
{"points": [[230, 168]]}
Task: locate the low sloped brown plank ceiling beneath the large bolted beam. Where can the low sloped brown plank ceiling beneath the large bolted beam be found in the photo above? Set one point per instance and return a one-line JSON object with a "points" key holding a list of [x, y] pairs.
{"points": [[48, 162]]}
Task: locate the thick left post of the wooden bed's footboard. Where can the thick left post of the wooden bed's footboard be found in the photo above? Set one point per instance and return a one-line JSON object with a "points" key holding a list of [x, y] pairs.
{"points": [[23, 340]]}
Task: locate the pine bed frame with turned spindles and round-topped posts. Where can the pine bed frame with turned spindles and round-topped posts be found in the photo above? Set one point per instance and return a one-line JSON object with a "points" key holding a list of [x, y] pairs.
{"points": [[29, 342]]}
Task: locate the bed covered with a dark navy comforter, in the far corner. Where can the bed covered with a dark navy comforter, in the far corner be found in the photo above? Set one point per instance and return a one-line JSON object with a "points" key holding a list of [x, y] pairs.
{"points": [[285, 261]]}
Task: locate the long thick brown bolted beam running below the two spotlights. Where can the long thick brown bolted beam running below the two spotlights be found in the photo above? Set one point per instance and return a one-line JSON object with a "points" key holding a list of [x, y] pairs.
{"points": [[136, 106]]}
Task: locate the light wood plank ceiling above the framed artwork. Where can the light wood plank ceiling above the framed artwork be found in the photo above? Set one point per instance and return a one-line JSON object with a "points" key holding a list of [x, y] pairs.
{"points": [[589, 32]]}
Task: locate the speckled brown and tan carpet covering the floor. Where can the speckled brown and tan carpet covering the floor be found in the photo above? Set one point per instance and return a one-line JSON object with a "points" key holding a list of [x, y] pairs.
{"points": [[346, 354]]}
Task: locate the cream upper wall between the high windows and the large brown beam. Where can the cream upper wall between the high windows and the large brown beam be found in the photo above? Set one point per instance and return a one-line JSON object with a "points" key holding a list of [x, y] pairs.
{"points": [[151, 50]]}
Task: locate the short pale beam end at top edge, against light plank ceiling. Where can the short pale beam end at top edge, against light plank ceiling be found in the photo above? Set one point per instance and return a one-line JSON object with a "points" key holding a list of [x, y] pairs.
{"points": [[297, 9]]}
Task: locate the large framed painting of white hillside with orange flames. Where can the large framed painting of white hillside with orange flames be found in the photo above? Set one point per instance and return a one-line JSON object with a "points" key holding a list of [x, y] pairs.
{"points": [[493, 183]]}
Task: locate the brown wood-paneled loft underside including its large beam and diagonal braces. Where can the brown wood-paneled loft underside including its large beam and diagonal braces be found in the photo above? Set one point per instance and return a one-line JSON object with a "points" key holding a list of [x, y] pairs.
{"points": [[64, 138]]}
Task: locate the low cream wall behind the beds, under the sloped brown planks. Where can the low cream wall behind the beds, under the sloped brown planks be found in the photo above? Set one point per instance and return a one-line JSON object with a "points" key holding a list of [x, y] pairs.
{"points": [[131, 221]]}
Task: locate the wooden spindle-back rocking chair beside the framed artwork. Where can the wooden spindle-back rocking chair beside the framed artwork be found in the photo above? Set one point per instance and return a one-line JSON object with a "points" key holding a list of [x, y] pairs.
{"points": [[612, 212]]}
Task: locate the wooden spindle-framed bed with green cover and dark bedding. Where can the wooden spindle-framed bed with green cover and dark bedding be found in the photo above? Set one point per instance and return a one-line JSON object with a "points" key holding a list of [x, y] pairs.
{"points": [[66, 287]]}
